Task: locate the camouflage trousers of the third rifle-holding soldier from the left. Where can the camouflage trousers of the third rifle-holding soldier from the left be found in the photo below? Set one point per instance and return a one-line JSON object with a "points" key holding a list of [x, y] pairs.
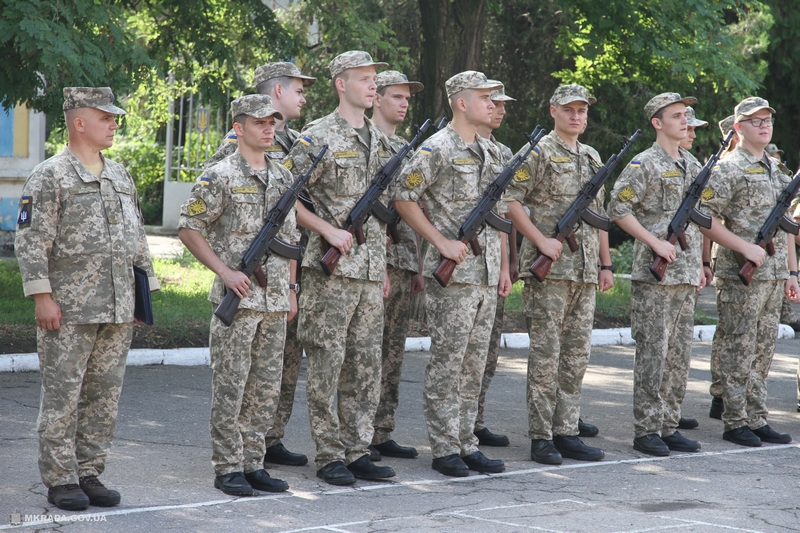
{"points": [[460, 319]]}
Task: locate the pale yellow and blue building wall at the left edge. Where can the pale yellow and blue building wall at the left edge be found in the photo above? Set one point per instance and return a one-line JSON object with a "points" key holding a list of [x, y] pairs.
{"points": [[22, 133]]}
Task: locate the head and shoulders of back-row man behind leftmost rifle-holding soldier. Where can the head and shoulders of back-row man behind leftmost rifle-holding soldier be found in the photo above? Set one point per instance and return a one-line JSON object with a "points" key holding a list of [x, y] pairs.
{"points": [[284, 83]]}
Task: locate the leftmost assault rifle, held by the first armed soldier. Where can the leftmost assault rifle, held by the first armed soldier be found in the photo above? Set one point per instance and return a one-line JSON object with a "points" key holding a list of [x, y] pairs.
{"points": [[267, 242]]}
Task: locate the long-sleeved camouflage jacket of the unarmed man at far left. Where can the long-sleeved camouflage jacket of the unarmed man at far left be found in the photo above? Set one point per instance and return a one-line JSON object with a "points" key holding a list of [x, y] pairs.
{"points": [[78, 237]]}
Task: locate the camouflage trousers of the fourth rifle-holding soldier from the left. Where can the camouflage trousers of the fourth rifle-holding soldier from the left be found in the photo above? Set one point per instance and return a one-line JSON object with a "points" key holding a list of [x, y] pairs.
{"points": [[560, 315]]}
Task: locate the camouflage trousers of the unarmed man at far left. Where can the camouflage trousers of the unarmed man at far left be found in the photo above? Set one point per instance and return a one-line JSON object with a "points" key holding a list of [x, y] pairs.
{"points": [[82, 368]]}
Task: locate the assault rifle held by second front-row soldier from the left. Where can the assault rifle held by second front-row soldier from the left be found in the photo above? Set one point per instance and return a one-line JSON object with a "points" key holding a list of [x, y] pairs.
{"points": [[370, 204]]}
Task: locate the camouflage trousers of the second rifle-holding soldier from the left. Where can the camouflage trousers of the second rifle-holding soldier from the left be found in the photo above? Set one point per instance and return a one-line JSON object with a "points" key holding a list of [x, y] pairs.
{"points": [[341, 326]]}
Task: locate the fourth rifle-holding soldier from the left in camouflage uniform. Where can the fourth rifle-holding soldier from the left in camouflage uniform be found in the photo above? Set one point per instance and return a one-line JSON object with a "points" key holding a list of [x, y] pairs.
{"points": [[560, 310]]}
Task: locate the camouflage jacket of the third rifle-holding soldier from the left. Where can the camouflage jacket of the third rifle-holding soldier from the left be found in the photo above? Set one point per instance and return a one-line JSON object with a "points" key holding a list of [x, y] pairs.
{"points": [[449, 178]]}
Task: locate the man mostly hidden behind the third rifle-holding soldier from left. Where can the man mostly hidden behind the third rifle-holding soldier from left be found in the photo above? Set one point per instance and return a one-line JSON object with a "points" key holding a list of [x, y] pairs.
{"points": [[485, 436]]}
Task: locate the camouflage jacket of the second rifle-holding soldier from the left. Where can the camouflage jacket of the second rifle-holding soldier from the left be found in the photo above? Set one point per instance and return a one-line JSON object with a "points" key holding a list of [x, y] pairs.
{"points": [[337, 184]]}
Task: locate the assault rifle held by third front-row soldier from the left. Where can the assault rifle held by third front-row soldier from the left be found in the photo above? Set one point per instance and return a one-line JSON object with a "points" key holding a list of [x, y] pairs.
{"points": [[482, 214]]}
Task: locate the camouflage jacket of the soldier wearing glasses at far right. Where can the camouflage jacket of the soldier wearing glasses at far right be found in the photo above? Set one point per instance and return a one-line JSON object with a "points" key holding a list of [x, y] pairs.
{"points": [[741, 192]]}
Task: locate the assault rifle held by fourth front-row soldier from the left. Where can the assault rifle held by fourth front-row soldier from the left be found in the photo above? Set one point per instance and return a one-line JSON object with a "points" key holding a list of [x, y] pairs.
{"points": [[579, 210]]}
